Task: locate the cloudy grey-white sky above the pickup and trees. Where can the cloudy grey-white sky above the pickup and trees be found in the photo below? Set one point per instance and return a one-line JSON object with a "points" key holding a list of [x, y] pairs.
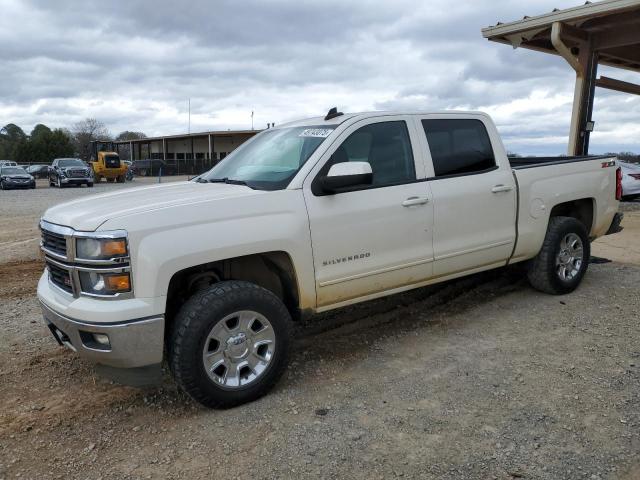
{"points": [[133, 65]]}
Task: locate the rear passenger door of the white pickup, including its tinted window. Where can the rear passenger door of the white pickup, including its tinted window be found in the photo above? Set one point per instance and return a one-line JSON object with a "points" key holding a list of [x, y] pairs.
{"points": [[474, 198]]}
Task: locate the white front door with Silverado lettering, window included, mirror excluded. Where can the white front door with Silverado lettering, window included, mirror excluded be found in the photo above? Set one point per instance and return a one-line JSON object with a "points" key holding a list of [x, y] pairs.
{"points": [[374, 238]]}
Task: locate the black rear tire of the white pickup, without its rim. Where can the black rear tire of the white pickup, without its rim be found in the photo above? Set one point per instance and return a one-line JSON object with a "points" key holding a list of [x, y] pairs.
{"points": [[543, 271]]}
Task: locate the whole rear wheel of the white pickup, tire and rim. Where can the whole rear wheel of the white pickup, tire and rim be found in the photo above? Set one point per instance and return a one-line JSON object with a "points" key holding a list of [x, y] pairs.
{"points": [[564, 258]]}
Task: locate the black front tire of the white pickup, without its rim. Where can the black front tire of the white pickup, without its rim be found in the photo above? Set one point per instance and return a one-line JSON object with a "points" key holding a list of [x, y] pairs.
{"points": [[196, 319]]}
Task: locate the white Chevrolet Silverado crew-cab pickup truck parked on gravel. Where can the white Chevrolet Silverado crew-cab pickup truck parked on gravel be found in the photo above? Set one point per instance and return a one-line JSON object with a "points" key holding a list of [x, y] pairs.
{"points": [[310, 216]]}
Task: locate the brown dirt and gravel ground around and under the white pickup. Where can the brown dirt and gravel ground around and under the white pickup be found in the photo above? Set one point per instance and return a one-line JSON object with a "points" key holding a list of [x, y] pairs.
{"points": [[481, 378]]}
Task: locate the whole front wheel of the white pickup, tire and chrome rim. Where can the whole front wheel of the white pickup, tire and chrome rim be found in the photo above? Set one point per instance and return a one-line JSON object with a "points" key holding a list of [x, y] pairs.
{"points": [[230, 344]]}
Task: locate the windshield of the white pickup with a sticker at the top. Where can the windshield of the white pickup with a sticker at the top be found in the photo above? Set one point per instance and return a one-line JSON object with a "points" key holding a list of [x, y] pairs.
{"points": [[271, 159]]}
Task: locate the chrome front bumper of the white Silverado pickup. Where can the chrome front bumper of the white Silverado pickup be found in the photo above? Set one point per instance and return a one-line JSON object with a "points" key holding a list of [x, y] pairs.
{"points": [[132, 343]]}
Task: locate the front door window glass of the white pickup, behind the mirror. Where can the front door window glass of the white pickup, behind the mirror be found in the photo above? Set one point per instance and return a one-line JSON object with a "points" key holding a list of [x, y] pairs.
{"points": [[386, 147]]}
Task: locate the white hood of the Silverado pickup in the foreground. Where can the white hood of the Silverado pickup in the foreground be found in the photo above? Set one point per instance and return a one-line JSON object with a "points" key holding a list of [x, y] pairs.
{"points": [[88, 213]]}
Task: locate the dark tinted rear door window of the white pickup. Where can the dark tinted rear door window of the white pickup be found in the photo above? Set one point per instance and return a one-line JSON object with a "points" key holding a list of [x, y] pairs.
{"points": [[459, 146]]}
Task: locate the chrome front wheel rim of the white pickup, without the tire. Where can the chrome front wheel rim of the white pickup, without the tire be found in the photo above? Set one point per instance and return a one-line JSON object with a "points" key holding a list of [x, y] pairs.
{"points": [[238, 350]]}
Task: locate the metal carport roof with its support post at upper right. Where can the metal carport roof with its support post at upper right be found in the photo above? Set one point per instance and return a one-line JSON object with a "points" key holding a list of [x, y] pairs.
{"points": [[600, 33]]}
